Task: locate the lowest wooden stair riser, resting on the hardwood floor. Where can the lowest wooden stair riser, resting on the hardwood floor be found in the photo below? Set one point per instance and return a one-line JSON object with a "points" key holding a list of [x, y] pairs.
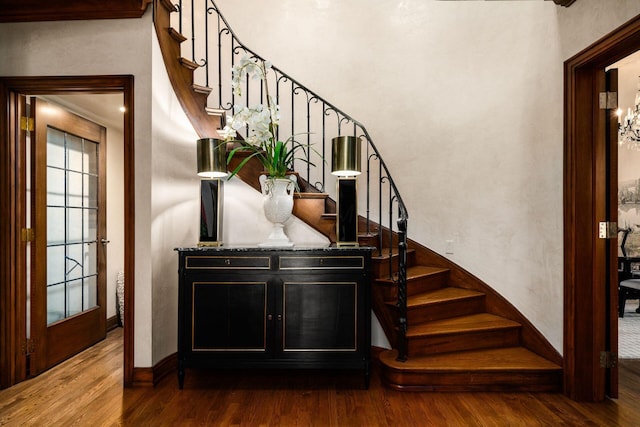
{"points": [[504, 381]]}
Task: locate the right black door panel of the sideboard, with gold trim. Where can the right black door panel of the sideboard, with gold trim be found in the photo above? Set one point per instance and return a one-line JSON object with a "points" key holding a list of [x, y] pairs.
{"points": [[320, 316]]}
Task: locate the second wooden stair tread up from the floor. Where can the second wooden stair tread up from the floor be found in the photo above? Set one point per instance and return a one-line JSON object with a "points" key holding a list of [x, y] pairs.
{"points": [[461, 324]]}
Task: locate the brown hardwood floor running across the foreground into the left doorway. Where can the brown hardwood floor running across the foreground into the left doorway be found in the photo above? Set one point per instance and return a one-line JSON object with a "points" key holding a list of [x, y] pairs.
{"points": [[87, 391]]}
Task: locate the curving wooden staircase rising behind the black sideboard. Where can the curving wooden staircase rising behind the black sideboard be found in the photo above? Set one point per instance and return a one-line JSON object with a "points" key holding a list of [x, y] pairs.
{"points": [[460, 335]]}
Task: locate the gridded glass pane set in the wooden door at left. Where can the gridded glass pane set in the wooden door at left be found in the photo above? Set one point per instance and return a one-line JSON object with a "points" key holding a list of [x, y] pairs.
{"points": [[72, 208]]}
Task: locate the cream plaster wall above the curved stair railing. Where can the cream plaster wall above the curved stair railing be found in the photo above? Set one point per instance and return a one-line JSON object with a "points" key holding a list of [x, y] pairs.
{"points": [[471, 125]]}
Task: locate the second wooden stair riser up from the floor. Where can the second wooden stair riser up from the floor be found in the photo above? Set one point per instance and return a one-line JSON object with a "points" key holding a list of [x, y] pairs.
{"points": [[445, 343]]}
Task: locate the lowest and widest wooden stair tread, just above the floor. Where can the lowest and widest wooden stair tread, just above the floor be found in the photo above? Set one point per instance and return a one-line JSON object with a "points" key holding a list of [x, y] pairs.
{"points": [[493, 359]]}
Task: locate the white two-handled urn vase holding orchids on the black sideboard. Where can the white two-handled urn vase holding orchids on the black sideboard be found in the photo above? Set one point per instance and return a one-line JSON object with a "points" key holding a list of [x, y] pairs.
{"points": [[277, 194]]}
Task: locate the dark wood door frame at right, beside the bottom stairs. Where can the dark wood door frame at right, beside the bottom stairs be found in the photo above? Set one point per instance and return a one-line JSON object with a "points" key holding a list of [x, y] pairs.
{"points": [[585, 170]]}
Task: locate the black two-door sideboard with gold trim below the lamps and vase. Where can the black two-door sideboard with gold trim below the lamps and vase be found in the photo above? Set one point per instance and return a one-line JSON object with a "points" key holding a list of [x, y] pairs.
{"points": [[301, 308]]}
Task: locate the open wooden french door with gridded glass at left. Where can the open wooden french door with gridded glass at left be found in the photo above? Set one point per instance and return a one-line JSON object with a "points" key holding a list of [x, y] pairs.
{"points": [[68, 256]]}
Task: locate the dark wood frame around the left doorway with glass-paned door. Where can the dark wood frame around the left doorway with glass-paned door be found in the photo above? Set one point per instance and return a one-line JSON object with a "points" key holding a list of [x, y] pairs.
{"points": [[12, 298]]}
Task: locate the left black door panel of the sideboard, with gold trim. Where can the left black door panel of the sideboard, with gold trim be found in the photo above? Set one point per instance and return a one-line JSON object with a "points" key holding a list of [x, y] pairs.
{"points": [[229, 316]]}
